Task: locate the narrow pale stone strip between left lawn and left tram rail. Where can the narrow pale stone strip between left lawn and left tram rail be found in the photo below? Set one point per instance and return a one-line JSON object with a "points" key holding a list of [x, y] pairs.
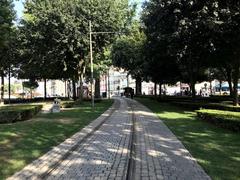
{"points": [[43, 165]]}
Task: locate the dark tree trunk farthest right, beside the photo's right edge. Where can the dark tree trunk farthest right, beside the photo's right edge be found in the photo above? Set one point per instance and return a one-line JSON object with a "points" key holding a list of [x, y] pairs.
{"points": [[235, 85]]}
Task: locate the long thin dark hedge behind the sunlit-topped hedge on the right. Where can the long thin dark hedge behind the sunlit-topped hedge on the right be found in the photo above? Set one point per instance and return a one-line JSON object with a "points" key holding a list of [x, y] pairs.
{"points": [[199, 105]]}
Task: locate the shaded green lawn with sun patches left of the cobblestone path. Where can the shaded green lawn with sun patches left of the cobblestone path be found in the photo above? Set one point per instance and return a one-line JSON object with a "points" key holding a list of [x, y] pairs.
{"points": [[22, 142]]}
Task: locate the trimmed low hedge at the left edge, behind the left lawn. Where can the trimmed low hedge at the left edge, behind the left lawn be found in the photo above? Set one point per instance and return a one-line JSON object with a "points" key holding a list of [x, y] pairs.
{"points": [[10, 114]]}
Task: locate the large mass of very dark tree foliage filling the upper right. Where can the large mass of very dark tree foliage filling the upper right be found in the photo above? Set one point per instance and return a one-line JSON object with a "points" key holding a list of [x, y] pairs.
{"points": [[191, 36]]}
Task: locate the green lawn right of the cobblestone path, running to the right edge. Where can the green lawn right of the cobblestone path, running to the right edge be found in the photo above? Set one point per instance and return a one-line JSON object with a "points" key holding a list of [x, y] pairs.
{"points": [[217, 150]]}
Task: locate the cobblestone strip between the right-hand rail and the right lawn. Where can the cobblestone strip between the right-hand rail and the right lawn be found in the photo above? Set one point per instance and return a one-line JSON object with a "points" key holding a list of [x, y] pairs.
{"points": [[158, 153]]}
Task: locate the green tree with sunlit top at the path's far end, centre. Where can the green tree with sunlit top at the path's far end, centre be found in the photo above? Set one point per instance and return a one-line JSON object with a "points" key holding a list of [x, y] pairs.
{"points": [[127, 53]]}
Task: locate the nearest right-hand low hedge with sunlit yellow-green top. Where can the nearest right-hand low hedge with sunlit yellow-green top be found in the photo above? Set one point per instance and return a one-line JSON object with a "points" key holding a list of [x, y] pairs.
{"points": [[225, 119]]}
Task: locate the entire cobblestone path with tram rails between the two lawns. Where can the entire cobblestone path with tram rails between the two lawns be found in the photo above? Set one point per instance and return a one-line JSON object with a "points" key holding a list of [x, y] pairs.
{"points": [[131, 144]]}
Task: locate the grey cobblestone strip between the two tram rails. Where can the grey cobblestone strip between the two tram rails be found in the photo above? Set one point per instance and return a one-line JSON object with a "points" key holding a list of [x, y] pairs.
{"points": [[104, 155]]}
